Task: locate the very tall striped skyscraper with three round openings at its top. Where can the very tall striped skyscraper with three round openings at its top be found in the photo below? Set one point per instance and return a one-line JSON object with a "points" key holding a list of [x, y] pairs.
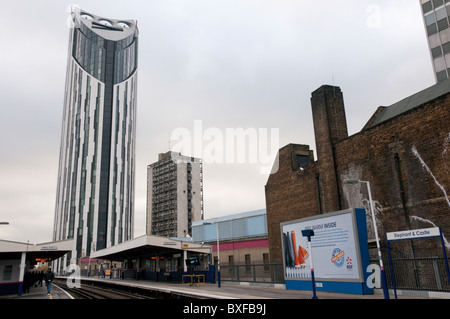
{"points": [[95, 191]]}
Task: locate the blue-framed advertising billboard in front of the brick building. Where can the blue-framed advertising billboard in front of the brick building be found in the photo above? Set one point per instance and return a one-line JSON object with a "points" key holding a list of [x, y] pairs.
{"points": [[339, 247]]}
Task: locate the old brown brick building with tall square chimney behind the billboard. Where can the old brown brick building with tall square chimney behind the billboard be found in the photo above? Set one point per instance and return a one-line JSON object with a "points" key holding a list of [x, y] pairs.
{"points": [[403, 151]]}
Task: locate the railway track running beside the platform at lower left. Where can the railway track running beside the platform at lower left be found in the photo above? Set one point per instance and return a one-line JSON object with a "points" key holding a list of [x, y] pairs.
{"points": [[92, 292]]}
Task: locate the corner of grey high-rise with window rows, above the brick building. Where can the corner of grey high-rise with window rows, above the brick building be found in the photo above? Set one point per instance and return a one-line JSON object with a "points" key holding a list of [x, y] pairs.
{"points": [[436, 18]]}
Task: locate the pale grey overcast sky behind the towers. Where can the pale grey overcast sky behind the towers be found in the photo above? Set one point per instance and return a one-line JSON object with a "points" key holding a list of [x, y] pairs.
{"points": [[230, 64]]}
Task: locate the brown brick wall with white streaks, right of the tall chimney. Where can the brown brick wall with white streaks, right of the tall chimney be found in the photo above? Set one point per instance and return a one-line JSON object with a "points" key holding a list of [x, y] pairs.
{"points": [[407, 161]]}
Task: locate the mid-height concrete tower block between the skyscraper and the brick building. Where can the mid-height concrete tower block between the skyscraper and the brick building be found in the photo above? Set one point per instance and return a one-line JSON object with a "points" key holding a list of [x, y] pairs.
{"points": [[174, 195]]}
